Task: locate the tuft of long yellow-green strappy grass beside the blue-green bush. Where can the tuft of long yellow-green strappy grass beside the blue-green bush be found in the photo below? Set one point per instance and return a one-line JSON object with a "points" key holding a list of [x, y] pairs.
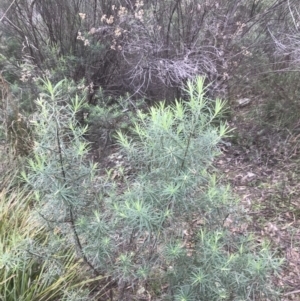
{"points": [[26, 276]]}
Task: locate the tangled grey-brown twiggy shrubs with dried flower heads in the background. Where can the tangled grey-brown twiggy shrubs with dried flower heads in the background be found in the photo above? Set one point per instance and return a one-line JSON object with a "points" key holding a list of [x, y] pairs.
{"points": [[148, 48]]}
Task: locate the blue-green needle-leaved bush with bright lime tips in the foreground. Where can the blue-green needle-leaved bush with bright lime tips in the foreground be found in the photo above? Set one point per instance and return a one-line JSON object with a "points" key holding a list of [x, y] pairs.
{"points": [[165, 220]]}
